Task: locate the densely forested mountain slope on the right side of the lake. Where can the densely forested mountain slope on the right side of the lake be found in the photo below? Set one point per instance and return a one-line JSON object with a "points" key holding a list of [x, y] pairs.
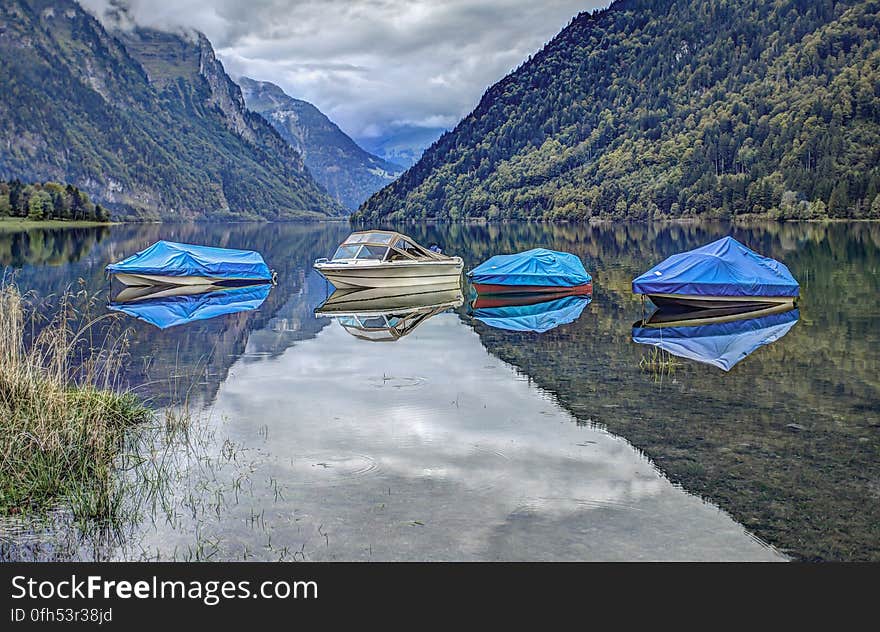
{"points": [[660, 108]]}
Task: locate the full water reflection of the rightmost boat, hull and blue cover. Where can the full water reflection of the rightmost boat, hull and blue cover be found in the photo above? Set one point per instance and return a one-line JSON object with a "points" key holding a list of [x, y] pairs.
{"points": [[721, 337]]}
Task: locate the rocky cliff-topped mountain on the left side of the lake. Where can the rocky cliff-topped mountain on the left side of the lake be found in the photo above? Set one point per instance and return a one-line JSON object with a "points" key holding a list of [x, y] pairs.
{"points": [[147, 123]]}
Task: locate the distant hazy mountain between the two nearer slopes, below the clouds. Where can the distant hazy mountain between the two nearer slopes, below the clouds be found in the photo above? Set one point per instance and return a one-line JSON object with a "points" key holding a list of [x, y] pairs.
{"points": [[349, 173]]}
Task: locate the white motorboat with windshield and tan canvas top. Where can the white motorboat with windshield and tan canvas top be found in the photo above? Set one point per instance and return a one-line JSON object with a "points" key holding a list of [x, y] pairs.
{"points": [[388, 259]]}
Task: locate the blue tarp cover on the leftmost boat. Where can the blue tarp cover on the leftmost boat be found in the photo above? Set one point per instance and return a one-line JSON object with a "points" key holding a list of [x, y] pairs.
{"points": [[168, 258]]}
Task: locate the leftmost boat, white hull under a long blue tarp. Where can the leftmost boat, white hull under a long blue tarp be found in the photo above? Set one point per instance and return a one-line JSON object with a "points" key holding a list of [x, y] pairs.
{"points": [[170, 263]]}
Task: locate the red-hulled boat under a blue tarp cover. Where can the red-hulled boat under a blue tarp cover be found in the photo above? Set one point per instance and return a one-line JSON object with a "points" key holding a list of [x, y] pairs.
{"points": [[536, 270]]}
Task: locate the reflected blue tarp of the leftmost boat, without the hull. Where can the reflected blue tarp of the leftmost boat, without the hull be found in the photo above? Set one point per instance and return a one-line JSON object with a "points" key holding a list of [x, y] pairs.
{"points": [[178, 310]]}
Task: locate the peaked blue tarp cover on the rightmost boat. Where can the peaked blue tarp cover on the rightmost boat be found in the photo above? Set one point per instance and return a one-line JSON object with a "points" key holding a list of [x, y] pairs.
{"points": [[722, 268]]}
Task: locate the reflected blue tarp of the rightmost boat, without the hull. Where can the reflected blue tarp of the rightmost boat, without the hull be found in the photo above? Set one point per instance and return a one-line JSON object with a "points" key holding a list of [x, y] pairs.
{"points": [[719, 344]]}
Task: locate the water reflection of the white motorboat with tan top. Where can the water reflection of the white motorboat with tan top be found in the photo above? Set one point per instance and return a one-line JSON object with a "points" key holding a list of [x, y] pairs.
{"points": [[388, 314]]}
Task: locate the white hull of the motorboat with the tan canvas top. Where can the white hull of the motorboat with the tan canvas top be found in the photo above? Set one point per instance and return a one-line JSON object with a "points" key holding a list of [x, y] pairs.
{"points": [[392, 275]]}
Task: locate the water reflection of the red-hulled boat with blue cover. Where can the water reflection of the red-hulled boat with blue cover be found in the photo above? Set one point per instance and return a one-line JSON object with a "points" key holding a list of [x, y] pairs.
{"points": [[529, 312]]}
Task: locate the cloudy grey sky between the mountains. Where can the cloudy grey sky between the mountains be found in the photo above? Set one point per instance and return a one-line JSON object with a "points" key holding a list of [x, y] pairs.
{"points": [[370, 65]]}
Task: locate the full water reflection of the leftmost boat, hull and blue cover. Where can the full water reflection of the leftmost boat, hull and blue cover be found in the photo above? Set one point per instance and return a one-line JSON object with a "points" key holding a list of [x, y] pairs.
{"points": [[168, 306]]}
